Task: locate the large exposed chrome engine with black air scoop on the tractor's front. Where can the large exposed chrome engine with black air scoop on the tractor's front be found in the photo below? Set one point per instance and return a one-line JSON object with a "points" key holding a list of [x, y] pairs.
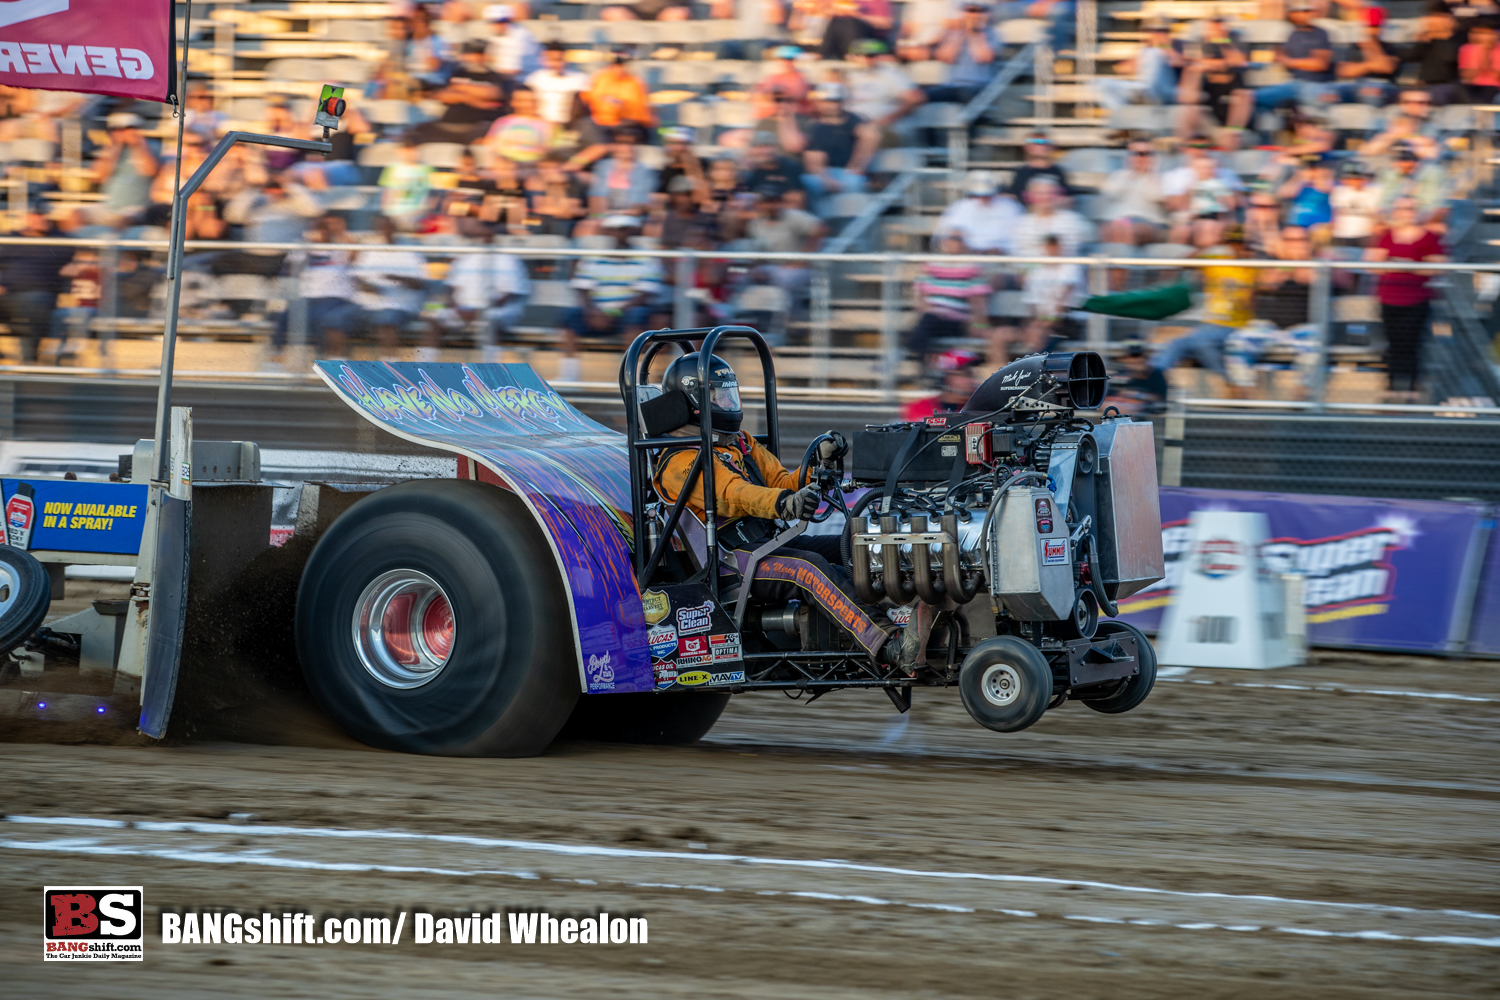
{"points": [[1055, 516]]}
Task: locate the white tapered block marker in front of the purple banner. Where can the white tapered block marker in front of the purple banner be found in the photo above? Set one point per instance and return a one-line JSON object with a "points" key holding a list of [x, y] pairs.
{"points": [[1229, 609]]}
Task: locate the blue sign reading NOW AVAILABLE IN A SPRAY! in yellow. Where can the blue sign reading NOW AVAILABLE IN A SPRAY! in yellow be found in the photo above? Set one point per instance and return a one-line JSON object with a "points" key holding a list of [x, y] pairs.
{"points": [[77, 516]]}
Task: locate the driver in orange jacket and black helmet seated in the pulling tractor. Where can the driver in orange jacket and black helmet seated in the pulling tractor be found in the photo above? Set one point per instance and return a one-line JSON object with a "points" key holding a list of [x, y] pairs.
{"points": [[751, 490]]}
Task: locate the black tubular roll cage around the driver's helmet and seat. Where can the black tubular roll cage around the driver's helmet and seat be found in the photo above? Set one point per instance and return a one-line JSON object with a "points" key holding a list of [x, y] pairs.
{"points": [[635, 370]]}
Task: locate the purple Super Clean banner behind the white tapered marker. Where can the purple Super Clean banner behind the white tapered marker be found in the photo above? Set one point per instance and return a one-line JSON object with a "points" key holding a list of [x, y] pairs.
{"points": [[1379, 573]]}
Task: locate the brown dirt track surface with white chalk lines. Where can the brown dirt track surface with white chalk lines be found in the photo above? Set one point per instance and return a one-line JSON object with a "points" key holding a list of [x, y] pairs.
{"points": [[1222, 842]]}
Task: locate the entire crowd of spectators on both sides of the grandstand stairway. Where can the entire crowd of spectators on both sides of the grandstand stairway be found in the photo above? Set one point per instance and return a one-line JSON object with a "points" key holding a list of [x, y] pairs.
{"points": [[553, 148]]}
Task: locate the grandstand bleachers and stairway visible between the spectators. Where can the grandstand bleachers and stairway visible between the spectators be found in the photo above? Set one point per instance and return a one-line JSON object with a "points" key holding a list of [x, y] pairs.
{"points": [[256, 56]]}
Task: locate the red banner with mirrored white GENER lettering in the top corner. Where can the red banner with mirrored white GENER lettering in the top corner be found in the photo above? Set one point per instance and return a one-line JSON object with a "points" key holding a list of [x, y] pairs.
{"points": [[100, 47]]}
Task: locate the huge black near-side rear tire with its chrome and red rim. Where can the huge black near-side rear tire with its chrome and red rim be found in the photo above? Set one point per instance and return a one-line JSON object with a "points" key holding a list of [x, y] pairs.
{"points": [[433, 620]]}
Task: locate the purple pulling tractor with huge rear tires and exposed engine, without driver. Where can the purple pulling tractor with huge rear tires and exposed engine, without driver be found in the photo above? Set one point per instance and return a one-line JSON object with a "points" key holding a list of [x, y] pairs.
{"points": [[553, 587]]}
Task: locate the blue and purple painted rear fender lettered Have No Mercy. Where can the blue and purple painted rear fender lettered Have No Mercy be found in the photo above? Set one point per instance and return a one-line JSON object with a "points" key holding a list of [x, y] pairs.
{"points": [[569, 470]]}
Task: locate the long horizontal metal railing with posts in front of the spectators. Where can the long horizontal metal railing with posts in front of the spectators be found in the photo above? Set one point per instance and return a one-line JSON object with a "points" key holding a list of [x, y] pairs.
{"points": [[892, 278]]}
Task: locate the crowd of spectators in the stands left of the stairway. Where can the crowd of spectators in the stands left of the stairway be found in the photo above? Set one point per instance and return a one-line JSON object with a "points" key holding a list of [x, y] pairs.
{"points": [[553, 148]]}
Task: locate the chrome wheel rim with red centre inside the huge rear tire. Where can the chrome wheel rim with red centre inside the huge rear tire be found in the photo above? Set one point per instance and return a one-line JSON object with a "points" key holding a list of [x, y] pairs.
{"points": [[404, 629]]}
